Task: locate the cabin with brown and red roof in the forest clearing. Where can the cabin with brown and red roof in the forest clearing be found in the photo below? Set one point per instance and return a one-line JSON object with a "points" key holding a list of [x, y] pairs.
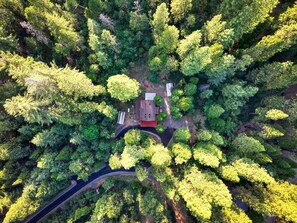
{"points": [[147, 111]]}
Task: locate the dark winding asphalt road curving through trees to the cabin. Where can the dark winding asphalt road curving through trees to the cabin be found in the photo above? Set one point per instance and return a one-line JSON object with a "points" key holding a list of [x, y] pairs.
{"points": [[101, 174]]}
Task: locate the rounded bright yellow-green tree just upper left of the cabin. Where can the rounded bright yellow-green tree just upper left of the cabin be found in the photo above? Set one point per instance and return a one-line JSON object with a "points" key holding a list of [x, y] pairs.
{"points": [[122, 87]]}
